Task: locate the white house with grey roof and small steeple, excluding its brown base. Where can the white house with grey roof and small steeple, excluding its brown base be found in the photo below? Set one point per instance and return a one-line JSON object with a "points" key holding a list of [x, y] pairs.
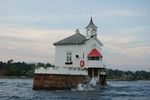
{"points": [[80, 51]]}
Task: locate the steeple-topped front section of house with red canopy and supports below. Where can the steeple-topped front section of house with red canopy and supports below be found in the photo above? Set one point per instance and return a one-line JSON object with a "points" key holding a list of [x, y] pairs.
{"points": [[94, 62]]}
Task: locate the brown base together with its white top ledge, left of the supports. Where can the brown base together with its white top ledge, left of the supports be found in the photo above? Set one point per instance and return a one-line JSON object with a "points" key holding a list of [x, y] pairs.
{"points": [[58, 78]]}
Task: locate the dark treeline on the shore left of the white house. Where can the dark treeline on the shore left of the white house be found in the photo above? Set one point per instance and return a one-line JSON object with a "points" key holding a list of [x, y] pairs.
{"points": [[11, 68]]}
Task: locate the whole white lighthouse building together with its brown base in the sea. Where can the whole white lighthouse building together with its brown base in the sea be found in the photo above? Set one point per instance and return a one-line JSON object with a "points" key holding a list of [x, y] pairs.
{"points": [[77, 58]]}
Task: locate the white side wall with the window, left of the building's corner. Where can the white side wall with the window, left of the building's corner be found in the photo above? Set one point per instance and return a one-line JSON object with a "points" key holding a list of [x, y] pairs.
{"points": [[61, 51]]}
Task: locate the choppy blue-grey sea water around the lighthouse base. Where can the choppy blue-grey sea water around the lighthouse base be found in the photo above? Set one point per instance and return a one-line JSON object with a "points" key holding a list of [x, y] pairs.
{"points": [[21, 89]]}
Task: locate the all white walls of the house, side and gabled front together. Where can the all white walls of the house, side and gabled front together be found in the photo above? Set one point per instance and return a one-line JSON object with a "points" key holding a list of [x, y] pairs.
{"points": [[86, 48]]}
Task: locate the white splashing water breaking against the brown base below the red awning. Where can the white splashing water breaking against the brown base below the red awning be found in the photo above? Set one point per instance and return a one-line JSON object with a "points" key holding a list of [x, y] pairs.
{"points": [[90, 85]]}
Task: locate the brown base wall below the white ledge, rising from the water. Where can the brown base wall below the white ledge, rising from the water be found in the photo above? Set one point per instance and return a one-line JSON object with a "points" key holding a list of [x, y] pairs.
{"points": [[57, 82]]}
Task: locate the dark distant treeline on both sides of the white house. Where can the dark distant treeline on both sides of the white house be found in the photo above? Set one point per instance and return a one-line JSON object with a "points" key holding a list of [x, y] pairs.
{"points": [[11, 68]]}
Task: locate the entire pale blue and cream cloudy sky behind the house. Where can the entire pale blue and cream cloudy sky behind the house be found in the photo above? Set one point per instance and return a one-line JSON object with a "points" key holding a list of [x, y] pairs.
{"points": [[28, 29]]}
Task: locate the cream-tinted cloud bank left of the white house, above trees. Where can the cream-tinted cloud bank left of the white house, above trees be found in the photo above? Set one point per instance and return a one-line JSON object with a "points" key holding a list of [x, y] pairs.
{"points": [[30, 45]]}
